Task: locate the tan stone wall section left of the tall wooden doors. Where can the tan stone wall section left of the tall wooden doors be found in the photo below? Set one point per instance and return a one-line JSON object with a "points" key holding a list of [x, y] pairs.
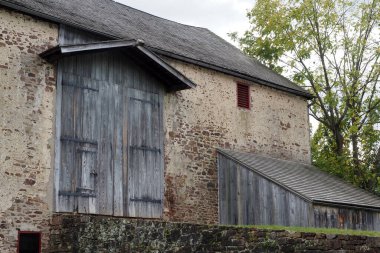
{"points": [[27, 97]]}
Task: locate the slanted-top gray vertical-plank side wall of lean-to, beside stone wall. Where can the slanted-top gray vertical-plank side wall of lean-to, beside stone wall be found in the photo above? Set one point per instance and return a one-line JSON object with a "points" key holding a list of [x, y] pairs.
{"points": [[247, 198]]}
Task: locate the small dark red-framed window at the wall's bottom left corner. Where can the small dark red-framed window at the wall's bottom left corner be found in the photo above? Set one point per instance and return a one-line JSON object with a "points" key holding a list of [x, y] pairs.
{"points": [[29, 242]]}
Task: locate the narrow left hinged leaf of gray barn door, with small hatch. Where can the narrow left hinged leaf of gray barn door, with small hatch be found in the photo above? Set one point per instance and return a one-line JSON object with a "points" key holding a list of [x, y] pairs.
{"points": [[79, 145]]}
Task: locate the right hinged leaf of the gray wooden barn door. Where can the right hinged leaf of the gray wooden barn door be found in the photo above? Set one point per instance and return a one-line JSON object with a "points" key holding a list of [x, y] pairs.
{"points": [[145, 155]]}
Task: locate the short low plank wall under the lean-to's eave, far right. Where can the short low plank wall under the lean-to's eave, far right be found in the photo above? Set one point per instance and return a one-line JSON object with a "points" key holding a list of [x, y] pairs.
{"points": [[346, 218]]}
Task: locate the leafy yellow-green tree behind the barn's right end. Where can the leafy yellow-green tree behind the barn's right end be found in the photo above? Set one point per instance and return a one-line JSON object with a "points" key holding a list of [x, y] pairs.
{"points": [[332, 48]]}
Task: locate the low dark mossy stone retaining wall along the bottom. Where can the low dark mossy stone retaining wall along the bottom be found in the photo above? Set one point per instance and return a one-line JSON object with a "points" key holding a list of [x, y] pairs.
{"points": [[72, 233]]}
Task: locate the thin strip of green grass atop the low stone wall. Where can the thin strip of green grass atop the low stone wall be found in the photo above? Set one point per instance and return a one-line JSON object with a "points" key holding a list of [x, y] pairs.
{"points": [[318, 230]]}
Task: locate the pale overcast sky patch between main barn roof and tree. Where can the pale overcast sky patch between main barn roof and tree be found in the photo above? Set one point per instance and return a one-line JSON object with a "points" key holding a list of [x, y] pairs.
{"points": [[220, 16]]}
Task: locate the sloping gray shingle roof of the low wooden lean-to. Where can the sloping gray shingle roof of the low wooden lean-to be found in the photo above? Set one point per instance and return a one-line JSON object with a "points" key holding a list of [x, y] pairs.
{"points": [[306, 180]]}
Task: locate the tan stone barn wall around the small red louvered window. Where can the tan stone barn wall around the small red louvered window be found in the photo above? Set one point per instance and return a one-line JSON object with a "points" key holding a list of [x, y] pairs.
{"points": [[199, 120]]}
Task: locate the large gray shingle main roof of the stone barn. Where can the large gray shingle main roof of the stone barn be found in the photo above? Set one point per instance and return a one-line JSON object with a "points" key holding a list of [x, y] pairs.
{"points": [[167, 37]]}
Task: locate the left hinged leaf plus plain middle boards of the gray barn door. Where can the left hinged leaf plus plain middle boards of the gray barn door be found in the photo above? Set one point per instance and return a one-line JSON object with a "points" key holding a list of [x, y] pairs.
{"points": [[92, 167]]}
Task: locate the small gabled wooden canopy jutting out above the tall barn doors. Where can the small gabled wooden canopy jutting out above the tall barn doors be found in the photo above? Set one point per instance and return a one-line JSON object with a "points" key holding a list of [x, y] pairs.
{"points": [[172, 78]]}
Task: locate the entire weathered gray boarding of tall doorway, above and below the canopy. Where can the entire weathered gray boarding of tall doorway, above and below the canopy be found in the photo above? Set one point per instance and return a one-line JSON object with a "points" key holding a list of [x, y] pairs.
{"points": [[101, 117]]}
